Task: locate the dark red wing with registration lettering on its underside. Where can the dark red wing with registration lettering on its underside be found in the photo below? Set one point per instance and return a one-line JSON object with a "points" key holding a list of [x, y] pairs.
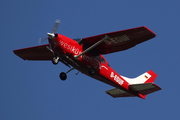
{"points": [[120, 40]]}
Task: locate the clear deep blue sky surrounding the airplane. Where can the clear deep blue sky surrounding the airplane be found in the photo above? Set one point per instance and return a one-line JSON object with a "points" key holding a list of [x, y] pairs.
{"points": [[32, 89]]}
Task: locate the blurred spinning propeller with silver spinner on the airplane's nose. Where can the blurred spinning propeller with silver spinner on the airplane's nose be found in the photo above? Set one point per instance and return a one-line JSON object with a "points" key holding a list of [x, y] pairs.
{"points": [[50, 35]]}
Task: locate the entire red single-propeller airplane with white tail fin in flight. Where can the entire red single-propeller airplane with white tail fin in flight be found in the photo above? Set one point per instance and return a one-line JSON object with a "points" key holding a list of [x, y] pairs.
{"points": [[86, 55]]}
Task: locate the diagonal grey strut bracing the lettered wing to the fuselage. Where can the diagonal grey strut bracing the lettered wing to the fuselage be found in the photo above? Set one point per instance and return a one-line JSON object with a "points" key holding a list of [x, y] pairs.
{"points": [[91, 47]]}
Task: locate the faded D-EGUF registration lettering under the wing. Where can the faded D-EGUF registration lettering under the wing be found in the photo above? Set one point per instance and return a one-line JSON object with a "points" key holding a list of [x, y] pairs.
{"points": [[117, 40]]}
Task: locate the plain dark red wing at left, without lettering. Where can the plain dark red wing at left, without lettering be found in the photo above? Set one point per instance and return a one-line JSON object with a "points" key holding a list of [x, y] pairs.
{"points": [[34, 53]]}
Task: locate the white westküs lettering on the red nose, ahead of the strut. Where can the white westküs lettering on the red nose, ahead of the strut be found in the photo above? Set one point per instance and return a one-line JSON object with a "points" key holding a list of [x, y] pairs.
{"points": [[73, 49]]}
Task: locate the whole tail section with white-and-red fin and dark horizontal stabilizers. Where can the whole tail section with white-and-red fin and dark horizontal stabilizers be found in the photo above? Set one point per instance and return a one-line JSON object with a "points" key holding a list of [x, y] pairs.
{"points": [[141, 86]]}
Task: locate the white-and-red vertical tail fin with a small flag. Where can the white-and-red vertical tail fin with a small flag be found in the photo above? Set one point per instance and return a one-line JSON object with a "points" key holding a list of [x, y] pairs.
{"points": [[147, 77]]}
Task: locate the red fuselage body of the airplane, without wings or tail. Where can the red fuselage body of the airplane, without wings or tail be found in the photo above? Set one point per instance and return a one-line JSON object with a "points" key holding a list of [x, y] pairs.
{"points": [[64, 46]]}
